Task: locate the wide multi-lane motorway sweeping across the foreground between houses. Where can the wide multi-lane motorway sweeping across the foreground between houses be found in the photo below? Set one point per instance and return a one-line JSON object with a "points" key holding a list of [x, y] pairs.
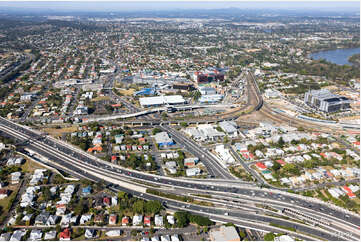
{"points": [[81, 164]]}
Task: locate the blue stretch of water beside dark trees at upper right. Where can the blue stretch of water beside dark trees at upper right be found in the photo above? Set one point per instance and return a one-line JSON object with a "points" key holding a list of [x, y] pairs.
{"points": [[338, 56]]}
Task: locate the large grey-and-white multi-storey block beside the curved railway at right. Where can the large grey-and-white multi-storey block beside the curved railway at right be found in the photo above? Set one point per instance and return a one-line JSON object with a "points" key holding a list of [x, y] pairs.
{"points": [[326, 101]]}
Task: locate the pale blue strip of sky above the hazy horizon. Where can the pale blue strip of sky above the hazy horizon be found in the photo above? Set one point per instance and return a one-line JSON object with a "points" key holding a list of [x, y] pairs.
{"points": [[118, 6]]}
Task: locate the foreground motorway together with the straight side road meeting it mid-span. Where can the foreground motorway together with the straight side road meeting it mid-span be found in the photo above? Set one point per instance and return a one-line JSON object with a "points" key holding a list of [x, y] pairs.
{"points": [[343, 225]]}
